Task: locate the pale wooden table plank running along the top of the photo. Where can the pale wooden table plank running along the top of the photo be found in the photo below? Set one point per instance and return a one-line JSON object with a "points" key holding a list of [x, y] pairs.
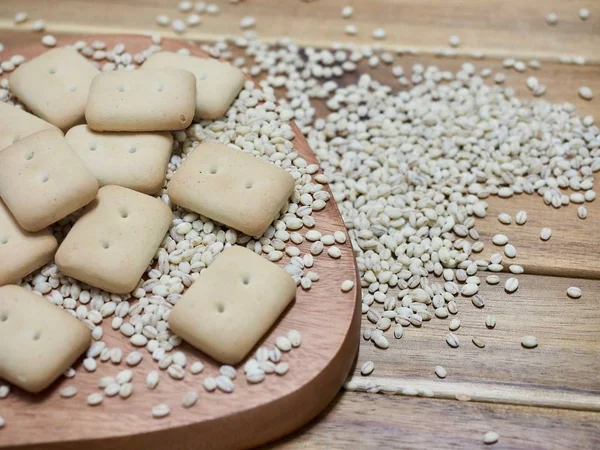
{"points": [[499, 28]]}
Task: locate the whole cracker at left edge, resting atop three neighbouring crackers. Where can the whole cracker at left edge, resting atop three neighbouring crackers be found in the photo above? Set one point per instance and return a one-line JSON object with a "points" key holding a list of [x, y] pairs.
{"points": [[42, 180]]}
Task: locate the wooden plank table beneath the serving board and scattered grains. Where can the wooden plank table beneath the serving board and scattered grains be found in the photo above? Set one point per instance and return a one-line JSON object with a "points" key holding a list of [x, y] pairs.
{"points": [[560, 377]]}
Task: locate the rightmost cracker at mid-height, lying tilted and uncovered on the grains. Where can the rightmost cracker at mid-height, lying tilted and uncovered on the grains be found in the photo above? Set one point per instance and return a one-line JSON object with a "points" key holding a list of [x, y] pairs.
{"points": [[231, 187]]}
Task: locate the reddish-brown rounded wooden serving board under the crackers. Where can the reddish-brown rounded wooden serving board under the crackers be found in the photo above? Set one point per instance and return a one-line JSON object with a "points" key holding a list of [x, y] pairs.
{"points": [[328, 319]]}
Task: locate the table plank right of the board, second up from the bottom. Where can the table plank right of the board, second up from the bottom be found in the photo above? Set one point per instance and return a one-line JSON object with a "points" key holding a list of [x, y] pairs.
{"points": [[563, 368]]}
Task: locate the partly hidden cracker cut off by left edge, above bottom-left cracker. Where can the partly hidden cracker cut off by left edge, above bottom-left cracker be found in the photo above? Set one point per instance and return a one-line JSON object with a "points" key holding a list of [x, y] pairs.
{"points": [[21, 252]]}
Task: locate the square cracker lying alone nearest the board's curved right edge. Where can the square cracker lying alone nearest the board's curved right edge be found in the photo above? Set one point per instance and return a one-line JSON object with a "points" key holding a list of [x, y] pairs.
{"points": [[232, 305]]}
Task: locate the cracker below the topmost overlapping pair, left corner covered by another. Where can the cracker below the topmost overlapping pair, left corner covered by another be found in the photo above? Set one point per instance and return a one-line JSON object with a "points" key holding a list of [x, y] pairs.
{"points": [[136, 161]]}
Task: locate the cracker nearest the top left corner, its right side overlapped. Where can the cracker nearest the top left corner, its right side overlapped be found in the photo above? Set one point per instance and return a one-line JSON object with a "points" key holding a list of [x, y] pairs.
{"points": [[55, 86]]}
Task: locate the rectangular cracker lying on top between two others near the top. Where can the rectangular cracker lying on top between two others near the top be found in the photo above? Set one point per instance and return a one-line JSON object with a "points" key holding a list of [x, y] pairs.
{"points": [[132, 100]]}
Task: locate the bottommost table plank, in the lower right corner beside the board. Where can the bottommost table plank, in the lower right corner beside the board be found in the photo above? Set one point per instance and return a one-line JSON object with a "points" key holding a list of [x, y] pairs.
{"points": [[383, 421]]}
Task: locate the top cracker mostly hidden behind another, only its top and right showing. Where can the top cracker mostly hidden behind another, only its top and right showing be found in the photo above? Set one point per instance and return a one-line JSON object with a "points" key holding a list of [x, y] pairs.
{"points": [[217, 83]]}
